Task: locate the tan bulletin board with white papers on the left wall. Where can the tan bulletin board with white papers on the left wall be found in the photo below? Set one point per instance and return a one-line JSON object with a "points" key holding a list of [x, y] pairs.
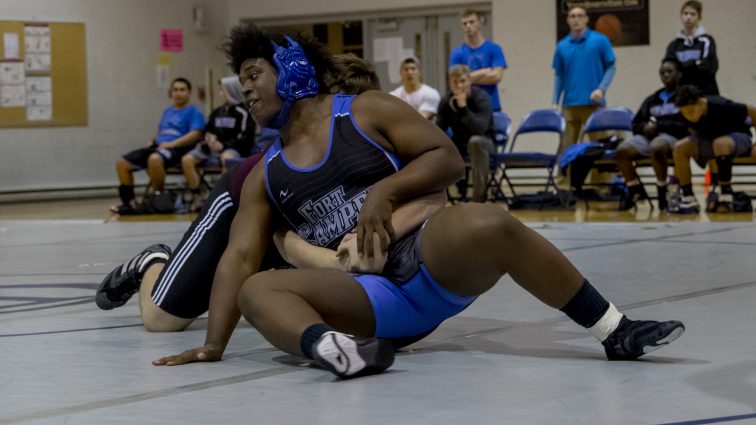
{"points": [[43, 74]]}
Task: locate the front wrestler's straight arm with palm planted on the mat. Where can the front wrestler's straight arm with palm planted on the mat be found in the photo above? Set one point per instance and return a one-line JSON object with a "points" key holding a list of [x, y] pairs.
{"points": [[250, 236]]}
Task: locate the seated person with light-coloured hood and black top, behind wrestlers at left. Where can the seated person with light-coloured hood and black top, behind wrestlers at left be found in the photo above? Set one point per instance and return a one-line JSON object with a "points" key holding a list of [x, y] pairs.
{"points": [[229, 133]]}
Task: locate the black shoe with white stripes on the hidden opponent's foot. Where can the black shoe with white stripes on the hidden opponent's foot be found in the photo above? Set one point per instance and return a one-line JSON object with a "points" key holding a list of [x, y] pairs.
{"points": [[123, 282]]}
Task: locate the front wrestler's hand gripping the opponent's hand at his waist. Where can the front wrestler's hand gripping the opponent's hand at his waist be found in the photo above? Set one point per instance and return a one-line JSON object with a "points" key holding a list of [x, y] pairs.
{"points": [[374, 221]]}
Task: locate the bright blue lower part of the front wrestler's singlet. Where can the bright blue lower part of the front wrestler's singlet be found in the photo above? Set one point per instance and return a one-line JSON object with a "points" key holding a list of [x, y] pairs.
{"points": [[412, 308]]}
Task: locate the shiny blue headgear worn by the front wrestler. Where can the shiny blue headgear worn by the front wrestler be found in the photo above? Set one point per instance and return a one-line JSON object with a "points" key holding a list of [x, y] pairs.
{"points": [[296, 79]]}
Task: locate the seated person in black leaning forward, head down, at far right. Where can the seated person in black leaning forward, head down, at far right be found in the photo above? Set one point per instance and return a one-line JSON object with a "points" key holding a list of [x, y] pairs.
{"points": [[721, 133]]}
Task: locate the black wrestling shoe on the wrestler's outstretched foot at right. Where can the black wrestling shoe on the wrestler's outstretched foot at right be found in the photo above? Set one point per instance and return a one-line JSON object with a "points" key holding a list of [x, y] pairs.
{"points": [[634, 338]]}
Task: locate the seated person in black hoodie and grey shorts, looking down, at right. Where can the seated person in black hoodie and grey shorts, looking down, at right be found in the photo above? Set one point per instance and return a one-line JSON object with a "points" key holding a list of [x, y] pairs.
{"points": [[657, 126]]}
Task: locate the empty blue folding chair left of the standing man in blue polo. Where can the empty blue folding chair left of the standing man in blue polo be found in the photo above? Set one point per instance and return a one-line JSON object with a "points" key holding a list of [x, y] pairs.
{"points": [[538, 121]]}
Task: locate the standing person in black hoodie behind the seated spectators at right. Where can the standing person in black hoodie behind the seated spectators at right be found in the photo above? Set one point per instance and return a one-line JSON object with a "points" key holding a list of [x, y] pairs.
{"points": [[696, 50]]}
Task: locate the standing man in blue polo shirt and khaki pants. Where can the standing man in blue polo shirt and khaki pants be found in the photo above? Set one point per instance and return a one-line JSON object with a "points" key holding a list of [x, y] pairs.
{"points": [[583, 69]]}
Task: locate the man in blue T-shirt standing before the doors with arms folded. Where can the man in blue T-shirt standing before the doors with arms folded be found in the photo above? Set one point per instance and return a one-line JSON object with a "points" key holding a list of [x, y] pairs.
{"points": [[484, 57]]}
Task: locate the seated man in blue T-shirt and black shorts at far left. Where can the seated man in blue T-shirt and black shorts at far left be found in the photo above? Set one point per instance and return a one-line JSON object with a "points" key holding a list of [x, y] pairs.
{"points": [[179, 130]]}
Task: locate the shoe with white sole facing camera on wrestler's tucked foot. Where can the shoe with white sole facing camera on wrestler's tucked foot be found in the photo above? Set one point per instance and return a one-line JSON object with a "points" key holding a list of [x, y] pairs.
{"points": [[348, 356]]}
